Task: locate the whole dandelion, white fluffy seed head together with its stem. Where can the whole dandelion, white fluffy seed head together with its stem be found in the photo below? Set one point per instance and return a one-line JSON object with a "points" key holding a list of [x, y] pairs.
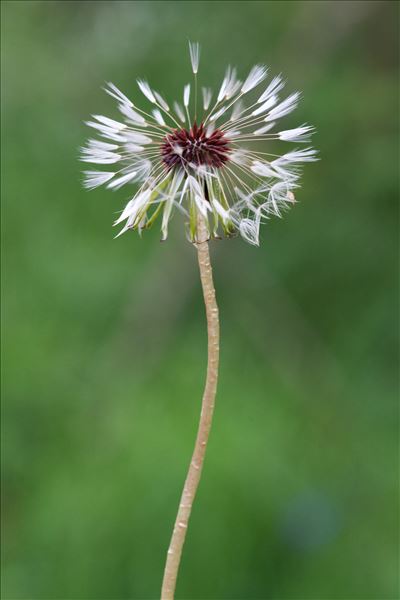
{"points": [[201, 158]]}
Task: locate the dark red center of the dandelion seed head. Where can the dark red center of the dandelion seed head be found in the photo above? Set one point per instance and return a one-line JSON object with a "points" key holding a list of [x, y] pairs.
{"points": [[196, 146]]}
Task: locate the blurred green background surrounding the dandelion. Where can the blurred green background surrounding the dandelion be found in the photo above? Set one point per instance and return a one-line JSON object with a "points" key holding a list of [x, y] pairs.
{"points": [[104, 343]]}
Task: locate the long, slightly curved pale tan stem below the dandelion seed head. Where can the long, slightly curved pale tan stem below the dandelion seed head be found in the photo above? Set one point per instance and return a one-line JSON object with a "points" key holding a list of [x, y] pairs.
{"points": [[207, 409]]}
